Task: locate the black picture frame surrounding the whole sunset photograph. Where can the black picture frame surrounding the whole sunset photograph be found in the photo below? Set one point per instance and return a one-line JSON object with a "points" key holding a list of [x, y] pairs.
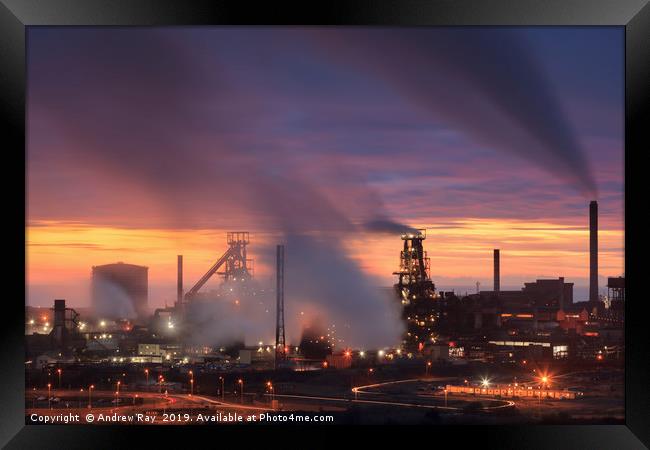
{"points": [[633, 15]]}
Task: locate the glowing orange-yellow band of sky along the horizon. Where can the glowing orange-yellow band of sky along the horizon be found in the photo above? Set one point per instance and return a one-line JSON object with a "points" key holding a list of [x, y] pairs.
{"points": [[461, 253]]}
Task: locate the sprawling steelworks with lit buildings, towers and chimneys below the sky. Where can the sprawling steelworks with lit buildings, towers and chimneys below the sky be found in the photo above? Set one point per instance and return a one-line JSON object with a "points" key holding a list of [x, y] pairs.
{"points": [[477, 353]]}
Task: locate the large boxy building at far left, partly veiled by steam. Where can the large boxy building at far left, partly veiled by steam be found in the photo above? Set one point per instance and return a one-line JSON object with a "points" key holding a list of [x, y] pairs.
{"points": [[120, 291]]}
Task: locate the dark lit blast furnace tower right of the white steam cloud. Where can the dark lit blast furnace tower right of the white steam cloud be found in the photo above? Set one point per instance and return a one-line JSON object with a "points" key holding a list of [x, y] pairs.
{"points": [[417, 293]]}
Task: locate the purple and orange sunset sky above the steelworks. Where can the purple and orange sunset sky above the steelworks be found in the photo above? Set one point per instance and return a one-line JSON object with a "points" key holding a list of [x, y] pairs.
{"points": [[148, 143]]}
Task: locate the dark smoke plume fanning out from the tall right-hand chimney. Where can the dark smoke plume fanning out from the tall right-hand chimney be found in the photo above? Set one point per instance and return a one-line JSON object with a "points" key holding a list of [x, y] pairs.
{"points": [[486, 83]]}
